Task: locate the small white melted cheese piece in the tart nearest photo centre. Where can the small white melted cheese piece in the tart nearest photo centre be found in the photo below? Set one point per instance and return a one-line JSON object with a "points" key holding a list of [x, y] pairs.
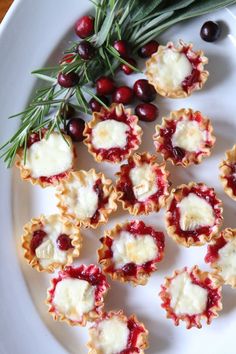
{"points": [[144, 181]]}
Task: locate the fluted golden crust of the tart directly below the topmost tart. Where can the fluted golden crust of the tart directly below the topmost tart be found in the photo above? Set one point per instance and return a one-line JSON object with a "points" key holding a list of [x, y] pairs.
{"points": [[190, 157]]}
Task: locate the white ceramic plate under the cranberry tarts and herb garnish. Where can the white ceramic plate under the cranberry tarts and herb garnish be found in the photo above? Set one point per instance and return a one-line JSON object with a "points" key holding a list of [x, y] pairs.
{"points": [[35, 32]]}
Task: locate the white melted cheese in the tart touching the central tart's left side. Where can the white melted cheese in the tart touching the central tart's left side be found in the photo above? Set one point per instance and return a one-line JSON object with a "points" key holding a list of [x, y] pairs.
{"points": [[82, 199]]}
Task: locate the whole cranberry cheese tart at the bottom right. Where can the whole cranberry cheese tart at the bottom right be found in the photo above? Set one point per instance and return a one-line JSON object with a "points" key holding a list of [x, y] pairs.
{"points": [[191, 295]]}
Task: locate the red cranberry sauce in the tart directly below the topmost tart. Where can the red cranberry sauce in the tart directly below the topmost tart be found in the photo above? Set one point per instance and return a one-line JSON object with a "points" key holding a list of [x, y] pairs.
{"points": [[166, 134]]}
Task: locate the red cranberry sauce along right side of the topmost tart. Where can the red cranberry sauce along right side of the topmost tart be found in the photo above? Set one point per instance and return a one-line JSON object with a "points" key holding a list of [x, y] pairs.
{"points": [[195, 76]]}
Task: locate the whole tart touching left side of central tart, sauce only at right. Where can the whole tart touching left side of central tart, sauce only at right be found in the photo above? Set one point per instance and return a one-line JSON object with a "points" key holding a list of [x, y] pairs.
{"points": [[86, 198]]}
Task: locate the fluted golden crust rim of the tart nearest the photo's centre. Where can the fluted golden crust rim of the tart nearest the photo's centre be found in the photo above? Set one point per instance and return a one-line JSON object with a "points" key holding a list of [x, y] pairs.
{"points": [[139, 208]]}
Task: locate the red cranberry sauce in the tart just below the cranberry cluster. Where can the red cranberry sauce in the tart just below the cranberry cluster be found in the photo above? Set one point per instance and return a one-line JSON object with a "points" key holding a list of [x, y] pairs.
{"points": [[132, 139]]}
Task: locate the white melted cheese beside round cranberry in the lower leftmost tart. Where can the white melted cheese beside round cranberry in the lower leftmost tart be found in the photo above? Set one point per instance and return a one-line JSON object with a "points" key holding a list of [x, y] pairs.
{"points": [[48, 252]]}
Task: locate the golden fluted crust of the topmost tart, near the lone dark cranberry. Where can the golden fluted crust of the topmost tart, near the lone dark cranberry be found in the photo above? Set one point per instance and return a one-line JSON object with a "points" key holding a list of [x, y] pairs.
{"points": [[177, 93]]}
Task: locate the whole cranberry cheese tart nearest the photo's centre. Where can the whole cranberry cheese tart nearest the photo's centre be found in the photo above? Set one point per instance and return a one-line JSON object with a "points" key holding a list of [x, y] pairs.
{"points": [[142, 184]]}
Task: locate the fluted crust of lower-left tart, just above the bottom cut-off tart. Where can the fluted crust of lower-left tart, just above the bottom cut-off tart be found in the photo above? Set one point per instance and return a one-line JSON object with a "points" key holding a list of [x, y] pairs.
{"points": [[86, 317]]}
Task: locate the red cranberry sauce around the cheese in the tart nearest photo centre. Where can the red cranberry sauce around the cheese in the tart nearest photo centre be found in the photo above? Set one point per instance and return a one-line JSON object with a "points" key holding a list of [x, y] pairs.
{"points": [[125, 185]]}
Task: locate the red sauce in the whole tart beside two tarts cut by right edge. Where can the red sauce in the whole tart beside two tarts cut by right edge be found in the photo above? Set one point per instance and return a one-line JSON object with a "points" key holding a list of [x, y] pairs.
{"points": [[209, 196]]}
